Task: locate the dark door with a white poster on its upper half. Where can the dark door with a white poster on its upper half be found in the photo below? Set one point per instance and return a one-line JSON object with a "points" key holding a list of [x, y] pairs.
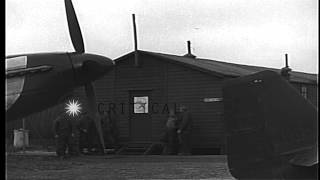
{"points": [[139, 115]]}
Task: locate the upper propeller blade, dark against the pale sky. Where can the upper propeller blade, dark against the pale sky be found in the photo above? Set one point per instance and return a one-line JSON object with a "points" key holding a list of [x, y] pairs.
{"points": [[74, 28]]}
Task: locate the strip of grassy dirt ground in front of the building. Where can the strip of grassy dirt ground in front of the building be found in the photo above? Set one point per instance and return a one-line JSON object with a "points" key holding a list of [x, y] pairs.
{"points": [[116, 167]]}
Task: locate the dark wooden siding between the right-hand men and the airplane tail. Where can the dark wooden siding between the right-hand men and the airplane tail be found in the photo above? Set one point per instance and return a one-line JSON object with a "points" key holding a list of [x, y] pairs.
{"points": [[190, 87]]}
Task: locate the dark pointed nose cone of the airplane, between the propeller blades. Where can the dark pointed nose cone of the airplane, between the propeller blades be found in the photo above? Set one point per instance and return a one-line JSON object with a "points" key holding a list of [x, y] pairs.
{"points": [[89, 67]]}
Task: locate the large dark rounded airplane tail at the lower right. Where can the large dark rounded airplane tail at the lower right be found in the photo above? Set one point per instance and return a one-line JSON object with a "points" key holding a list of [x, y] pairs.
{"points": [[270, 126]]}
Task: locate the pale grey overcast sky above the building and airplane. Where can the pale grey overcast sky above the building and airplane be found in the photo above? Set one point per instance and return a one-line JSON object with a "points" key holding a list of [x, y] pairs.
{"points": [[251, 32]]}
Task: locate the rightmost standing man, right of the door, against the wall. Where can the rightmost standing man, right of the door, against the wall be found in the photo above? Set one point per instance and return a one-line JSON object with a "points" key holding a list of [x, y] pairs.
{"points": [[184, 130]]}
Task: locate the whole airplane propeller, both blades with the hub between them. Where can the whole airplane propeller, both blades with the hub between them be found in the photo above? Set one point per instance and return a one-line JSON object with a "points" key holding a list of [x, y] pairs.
{"points": [[85, 66]]}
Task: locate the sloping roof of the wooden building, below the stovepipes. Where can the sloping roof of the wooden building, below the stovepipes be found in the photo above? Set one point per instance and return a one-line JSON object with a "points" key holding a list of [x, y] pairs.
{"points": [[228, 69]]}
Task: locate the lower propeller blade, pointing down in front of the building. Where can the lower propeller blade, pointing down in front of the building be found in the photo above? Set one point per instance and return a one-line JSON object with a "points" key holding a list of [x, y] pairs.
{"points": [[92, 107]]}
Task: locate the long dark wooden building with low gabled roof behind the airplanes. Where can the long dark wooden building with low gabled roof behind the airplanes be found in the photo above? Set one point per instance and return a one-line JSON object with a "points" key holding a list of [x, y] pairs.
{"points": [[140, 93]]}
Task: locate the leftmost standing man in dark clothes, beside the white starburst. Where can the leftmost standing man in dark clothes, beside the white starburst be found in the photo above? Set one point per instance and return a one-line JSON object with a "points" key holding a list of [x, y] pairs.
{"points": [[62, 130]]}
